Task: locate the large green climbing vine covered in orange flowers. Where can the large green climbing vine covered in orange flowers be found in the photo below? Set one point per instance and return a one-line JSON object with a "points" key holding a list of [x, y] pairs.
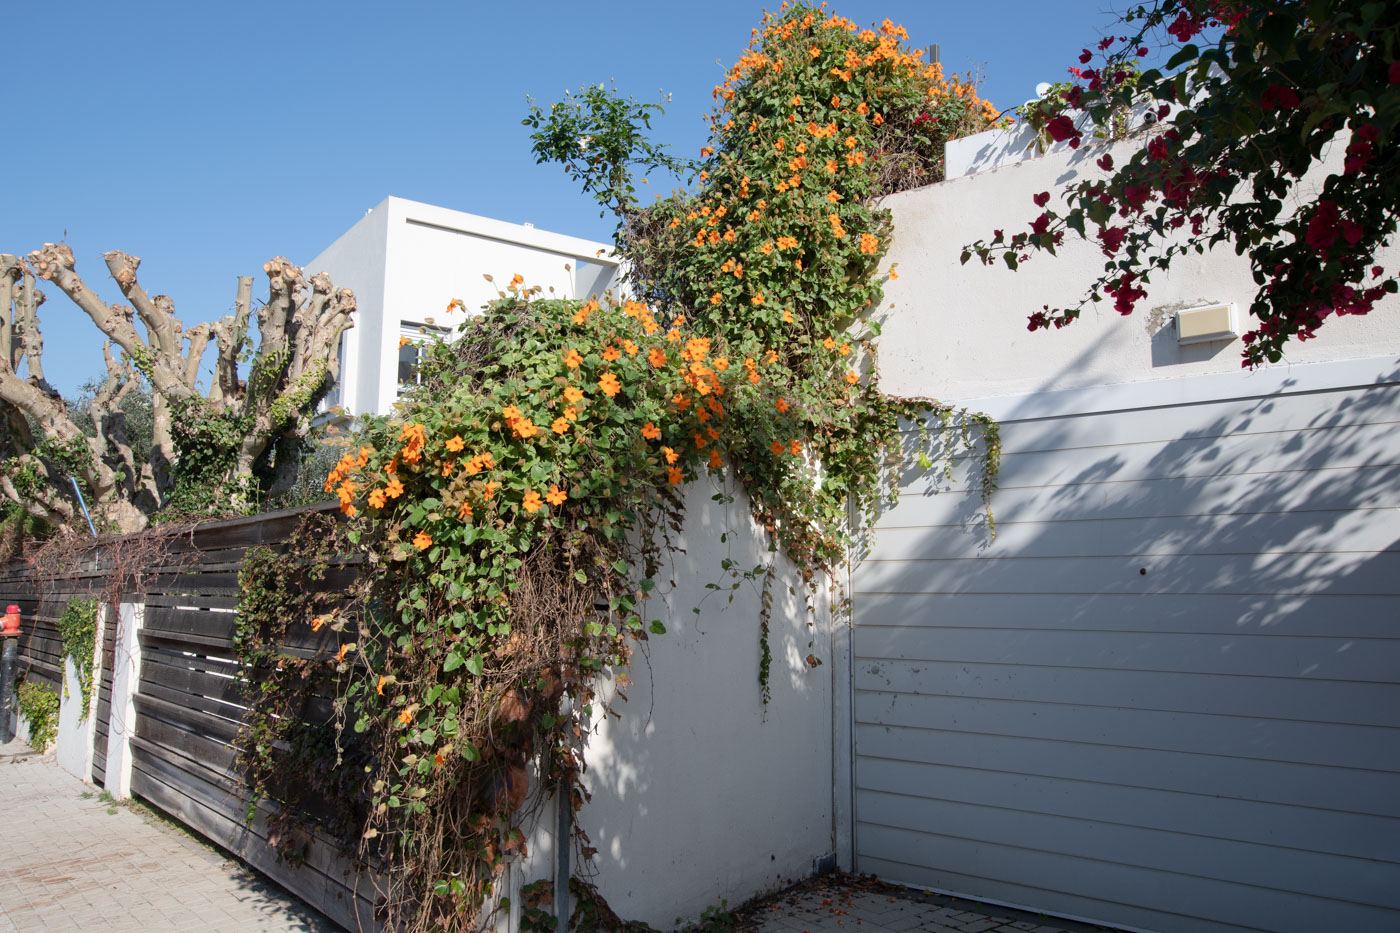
{"points": [[513, 516]]}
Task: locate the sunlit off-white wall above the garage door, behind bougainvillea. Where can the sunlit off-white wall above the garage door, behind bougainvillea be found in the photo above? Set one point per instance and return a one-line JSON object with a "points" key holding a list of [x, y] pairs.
{"points": [[960, 333]]}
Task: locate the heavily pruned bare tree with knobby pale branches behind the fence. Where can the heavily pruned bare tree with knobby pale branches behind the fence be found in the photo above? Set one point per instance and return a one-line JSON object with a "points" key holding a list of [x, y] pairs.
{"points": [[265, 418]]}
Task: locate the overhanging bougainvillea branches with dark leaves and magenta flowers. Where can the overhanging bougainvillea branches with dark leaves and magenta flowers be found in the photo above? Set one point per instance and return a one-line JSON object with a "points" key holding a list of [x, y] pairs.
{"points": [[1275, 132]]}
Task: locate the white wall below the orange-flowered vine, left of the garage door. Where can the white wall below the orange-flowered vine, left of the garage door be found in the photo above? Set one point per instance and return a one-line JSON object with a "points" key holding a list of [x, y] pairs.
{"points": [[699, 794]]}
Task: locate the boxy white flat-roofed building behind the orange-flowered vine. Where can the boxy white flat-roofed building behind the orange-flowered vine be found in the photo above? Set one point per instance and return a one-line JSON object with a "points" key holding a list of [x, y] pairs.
{"points": [[407, 261]]}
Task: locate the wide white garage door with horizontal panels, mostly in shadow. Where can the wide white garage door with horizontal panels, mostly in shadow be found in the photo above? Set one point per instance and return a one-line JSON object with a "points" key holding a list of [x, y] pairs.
{"points": [[1168, 694]]}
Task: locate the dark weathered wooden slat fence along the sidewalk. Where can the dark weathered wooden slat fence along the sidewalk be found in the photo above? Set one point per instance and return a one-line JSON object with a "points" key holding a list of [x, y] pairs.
{"points": [[190, 707]]}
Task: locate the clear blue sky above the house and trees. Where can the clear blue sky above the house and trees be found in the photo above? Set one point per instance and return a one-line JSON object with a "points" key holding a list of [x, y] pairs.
{"points": [[208, 138]]}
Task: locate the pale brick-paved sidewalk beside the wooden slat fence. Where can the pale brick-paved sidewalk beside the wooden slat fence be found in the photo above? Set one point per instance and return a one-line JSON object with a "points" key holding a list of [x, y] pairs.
{"points": [[72, 865]]}
